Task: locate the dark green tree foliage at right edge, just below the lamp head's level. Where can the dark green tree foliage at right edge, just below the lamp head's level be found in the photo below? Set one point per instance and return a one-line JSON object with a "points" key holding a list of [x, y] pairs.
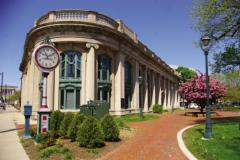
{"points": [[226, 61]]}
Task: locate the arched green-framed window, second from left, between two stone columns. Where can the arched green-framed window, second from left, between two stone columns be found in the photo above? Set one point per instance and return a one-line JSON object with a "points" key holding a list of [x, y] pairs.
{"points": [[104, 80]]}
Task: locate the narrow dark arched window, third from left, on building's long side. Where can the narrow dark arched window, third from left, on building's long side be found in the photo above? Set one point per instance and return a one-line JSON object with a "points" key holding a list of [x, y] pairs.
{"points": [[128, 84]]}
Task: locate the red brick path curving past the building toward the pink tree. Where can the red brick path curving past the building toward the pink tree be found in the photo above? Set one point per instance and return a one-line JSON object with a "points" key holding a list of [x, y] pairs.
{"points": [[157, 139]]}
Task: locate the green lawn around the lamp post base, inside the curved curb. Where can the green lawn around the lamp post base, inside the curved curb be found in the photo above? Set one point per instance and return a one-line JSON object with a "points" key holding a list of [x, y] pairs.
{"points": [[225, 143]]}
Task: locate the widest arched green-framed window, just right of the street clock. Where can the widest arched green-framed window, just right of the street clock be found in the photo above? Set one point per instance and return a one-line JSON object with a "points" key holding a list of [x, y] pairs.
{"points": [[70, 80]]}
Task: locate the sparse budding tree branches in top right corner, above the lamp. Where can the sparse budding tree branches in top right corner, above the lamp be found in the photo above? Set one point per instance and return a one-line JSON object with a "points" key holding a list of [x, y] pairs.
{"points": [[218, 18]]}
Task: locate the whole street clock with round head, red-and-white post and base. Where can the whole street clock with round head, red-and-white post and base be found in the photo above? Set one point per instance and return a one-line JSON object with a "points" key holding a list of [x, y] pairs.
{"points": [[47, 58]]}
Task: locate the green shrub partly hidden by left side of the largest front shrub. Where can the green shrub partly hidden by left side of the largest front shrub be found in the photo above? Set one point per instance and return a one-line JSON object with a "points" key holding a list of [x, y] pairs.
{"points": [[72, 130]]}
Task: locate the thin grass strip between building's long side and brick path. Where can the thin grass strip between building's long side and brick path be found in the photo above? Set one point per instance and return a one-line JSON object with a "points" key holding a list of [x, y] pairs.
{"points": [[137, 118]]}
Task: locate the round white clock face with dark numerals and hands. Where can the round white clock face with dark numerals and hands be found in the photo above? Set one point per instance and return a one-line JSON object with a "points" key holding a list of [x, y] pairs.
{"points": [[47, 57]]}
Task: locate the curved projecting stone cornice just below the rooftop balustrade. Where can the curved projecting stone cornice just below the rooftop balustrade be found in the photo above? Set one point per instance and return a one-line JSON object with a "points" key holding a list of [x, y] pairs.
{"points": [[114, 32]]}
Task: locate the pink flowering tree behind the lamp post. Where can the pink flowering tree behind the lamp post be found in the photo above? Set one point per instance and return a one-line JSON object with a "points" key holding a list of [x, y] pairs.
{"points": [[194, 90]]}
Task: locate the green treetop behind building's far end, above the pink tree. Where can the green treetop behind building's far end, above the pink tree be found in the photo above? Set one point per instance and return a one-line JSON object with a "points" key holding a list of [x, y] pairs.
{"points": [[185, 73]]}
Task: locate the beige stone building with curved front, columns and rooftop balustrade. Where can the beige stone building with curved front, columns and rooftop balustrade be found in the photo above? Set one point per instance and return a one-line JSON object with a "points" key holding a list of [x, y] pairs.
{"points": [[101, 59]]}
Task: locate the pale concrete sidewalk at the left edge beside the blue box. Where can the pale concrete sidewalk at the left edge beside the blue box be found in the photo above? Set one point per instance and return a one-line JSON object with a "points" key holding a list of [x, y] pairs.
{"points": [[11, 148]]}
